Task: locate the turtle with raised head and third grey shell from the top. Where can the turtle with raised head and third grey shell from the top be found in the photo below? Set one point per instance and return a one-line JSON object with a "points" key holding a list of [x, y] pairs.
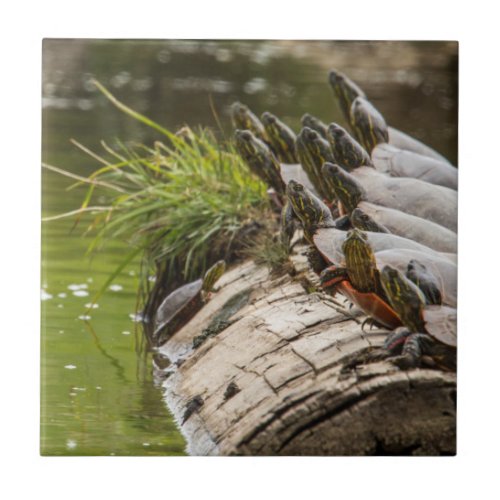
{"points": [[413, 196]]}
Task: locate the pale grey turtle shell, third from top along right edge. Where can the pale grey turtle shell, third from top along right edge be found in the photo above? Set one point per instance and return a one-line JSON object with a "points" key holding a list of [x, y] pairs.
{"points": [[413, 196]]}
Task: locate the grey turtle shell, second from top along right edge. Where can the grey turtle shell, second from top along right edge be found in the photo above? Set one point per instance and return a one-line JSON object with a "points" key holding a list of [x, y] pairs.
{"points": [[400, 163]]}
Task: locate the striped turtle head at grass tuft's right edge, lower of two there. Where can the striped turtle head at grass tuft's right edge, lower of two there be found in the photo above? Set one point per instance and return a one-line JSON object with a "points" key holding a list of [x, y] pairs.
{"points": [[260, 159]]}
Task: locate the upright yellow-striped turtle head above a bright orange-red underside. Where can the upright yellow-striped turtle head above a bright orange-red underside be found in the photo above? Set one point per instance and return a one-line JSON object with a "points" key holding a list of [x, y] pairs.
{"points": [[360, 261]]}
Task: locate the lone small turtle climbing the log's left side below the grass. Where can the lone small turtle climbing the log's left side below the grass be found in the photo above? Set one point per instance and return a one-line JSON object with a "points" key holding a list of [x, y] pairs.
{"points": [[183, 303]]}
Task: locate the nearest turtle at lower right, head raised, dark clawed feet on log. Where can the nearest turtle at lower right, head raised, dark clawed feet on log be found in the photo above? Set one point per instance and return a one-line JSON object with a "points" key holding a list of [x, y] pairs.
{"points": [[430, 331]]}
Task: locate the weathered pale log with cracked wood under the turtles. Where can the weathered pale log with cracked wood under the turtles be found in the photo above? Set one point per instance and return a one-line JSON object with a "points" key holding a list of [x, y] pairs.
{"points": [[283, 378]]}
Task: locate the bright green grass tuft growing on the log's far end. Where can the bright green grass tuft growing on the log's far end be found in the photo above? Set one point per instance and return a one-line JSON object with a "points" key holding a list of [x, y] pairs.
{"points": [[183, 203]]}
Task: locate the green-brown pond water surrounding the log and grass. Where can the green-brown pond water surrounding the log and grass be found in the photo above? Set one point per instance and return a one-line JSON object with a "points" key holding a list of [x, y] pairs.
{"points": [[98, 395]]}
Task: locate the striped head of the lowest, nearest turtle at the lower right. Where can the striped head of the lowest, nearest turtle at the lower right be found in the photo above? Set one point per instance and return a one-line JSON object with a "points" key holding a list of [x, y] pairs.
{"points": [[405, 298]]}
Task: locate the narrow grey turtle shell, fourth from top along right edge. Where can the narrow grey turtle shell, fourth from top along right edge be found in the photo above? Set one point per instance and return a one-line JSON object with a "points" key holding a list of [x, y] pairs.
{"points": [[409, 226]]}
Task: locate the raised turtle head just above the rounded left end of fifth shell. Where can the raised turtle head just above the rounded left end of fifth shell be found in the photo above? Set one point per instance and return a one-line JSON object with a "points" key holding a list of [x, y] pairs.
{"points": [[311, 211]]}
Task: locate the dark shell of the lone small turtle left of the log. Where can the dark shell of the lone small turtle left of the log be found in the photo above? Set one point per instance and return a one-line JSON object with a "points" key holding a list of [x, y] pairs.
{"points": [[177, 309]]}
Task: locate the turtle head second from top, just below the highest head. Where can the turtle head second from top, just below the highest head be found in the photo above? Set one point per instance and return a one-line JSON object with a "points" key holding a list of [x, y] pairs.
{"points": [[368, 123]]}
